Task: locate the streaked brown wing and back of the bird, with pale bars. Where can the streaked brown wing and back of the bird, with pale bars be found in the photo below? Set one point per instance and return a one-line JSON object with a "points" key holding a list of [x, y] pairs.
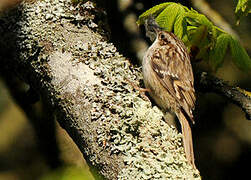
{"points": [[175, 74]]}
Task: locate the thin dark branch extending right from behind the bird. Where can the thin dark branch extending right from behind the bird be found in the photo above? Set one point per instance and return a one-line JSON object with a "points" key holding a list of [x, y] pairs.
{"points": [[238, 96]]}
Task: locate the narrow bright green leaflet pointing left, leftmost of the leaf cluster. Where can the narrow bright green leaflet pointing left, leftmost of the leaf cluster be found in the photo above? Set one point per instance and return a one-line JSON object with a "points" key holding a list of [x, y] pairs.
{"points": [[153, 11]]}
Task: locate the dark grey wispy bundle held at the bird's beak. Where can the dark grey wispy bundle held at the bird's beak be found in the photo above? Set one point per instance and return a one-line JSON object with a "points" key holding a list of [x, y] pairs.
{"points": [[152, 28]]}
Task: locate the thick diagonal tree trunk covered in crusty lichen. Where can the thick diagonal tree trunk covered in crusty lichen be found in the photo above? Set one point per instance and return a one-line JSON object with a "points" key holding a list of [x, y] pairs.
{"points": [[62, 52]]}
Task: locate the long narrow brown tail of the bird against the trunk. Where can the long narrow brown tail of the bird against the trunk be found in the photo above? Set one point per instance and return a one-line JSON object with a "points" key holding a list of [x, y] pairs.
{"points": [[187, 137]]}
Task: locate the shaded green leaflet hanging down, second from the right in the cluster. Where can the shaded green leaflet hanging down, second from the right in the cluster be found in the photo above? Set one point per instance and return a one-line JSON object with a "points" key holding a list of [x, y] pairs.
{"points": [[216, 56]]}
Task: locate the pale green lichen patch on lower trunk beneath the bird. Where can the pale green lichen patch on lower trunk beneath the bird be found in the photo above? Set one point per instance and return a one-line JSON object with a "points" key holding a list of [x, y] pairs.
{"points": [[151, 149]]}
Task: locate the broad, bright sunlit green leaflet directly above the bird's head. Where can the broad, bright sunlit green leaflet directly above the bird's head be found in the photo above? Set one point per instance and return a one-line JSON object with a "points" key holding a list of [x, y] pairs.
{"points": [[167, 17]]}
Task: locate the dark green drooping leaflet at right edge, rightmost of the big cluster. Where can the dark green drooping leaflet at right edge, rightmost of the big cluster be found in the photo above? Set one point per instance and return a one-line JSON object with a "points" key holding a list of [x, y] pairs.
{"points": [[240, 56]]}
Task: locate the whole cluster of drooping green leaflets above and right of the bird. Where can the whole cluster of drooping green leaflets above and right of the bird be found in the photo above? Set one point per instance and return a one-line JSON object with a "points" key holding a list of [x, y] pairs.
{"points": [[198, 32]]}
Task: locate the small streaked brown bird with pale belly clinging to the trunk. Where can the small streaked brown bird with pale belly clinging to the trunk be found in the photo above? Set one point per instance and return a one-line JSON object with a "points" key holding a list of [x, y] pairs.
{"points": [[168, 74]]}
